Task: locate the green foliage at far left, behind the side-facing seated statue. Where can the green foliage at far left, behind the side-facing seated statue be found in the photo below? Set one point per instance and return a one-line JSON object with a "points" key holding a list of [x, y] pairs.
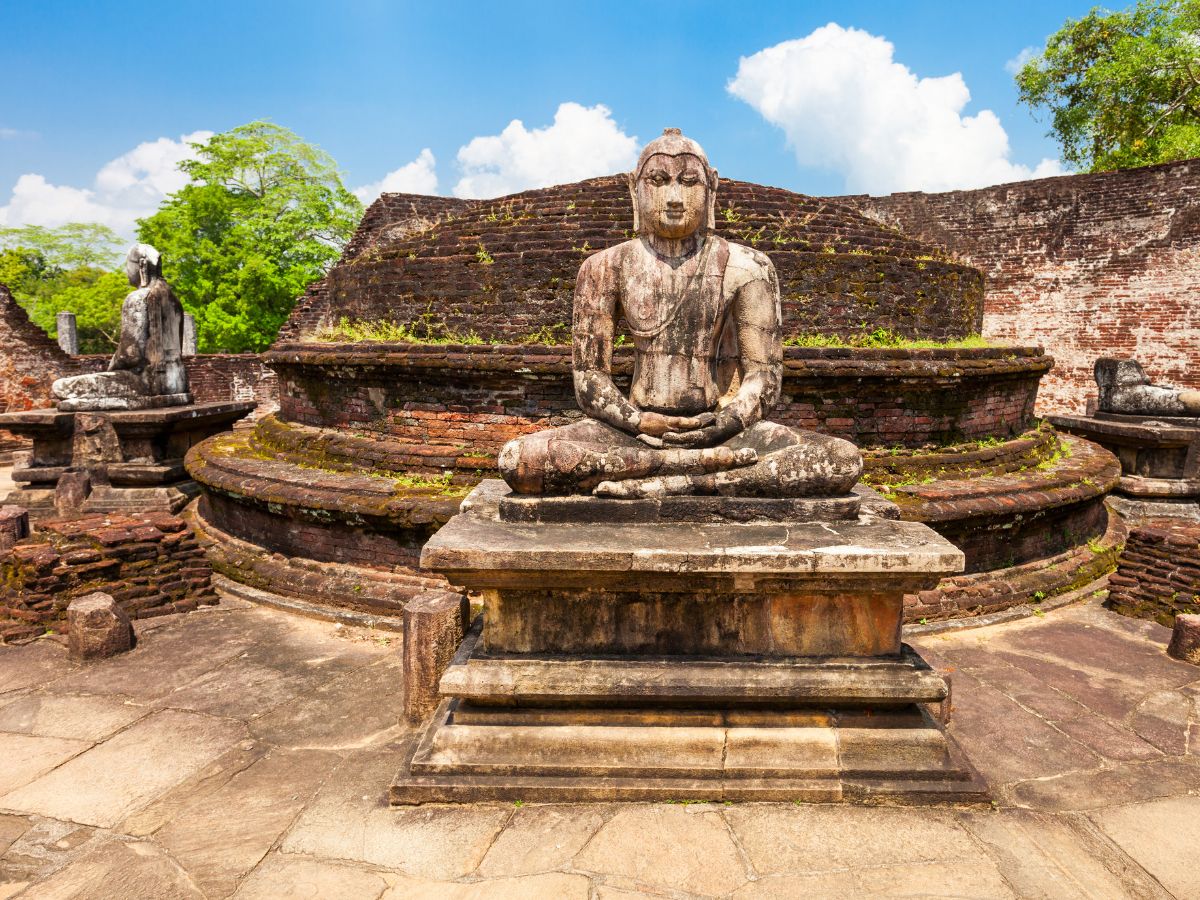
{"points": [[65, 269]]}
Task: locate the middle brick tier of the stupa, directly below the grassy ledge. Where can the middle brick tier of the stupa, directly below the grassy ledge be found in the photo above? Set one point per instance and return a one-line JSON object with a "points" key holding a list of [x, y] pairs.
{"points": [[471, 400]]}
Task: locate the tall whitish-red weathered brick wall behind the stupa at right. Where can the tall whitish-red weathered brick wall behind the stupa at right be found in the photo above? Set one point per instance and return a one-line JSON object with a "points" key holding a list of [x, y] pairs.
{"points": [[1085, 266]]}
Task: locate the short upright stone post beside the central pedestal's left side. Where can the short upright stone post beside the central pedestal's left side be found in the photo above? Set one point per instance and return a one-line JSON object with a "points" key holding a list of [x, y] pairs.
{"points": [[435, 623]]}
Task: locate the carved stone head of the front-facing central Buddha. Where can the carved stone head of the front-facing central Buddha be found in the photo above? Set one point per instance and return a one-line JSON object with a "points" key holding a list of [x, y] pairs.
{"points": [[674, 189]]}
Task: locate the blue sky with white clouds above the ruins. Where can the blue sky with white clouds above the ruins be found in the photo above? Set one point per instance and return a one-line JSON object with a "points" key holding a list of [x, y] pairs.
{"points": [[379, 83]]}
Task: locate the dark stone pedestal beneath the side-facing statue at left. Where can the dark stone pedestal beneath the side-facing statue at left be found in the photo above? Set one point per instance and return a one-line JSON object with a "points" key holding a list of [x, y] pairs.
{"points": [[134, 460]]}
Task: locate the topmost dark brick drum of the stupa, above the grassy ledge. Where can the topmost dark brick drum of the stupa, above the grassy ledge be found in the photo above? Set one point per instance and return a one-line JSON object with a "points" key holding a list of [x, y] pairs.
{"points": [[506, 269]]}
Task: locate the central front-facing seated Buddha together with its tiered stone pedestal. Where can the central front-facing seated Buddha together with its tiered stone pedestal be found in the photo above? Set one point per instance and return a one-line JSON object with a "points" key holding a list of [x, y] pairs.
{"points": [[652, 641]]}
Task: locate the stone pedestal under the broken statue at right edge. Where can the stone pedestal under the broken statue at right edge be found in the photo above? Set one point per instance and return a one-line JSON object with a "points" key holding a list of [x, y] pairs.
{"points": [[1160, 460]]}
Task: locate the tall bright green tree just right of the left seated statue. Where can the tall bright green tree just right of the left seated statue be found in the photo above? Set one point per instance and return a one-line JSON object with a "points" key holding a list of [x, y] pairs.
{"points": [[265, 215]]}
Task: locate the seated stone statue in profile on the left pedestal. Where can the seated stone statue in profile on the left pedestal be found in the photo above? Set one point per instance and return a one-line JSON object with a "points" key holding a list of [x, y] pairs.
{"points": [[148, 368]]}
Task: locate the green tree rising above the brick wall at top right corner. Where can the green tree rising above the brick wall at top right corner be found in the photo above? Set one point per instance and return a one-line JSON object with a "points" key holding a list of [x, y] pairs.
{"points": [[1121, 88]]}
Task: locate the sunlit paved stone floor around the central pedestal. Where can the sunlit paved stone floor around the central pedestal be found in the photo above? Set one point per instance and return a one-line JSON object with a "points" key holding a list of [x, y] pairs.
{"points": [[244, 752]]}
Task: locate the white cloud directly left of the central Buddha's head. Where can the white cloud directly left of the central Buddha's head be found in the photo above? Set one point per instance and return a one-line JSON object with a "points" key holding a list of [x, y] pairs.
{"points": [[584, 142]]}
